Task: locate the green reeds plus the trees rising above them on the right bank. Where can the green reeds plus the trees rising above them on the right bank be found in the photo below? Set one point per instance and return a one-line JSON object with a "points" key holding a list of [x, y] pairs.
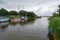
{"points": [[55, 23]]}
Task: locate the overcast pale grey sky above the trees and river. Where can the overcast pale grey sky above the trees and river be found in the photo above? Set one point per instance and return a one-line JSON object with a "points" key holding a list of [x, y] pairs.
{"points": [[40, 7]]}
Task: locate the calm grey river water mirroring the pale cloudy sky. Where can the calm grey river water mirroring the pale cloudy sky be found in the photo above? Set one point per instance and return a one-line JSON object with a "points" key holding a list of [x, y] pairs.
{"points": [[36, 30]]}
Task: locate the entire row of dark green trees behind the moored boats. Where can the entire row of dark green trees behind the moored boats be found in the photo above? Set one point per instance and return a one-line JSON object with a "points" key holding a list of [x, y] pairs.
{"points": [[4, 12]]}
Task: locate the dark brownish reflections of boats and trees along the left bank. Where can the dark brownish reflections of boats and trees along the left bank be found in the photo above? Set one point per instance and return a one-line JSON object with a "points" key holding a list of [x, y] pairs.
{"points": [[4, 25]]}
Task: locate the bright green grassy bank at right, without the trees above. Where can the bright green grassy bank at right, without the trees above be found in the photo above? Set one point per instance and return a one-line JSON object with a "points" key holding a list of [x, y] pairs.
{"points": [[55, 26]]}
